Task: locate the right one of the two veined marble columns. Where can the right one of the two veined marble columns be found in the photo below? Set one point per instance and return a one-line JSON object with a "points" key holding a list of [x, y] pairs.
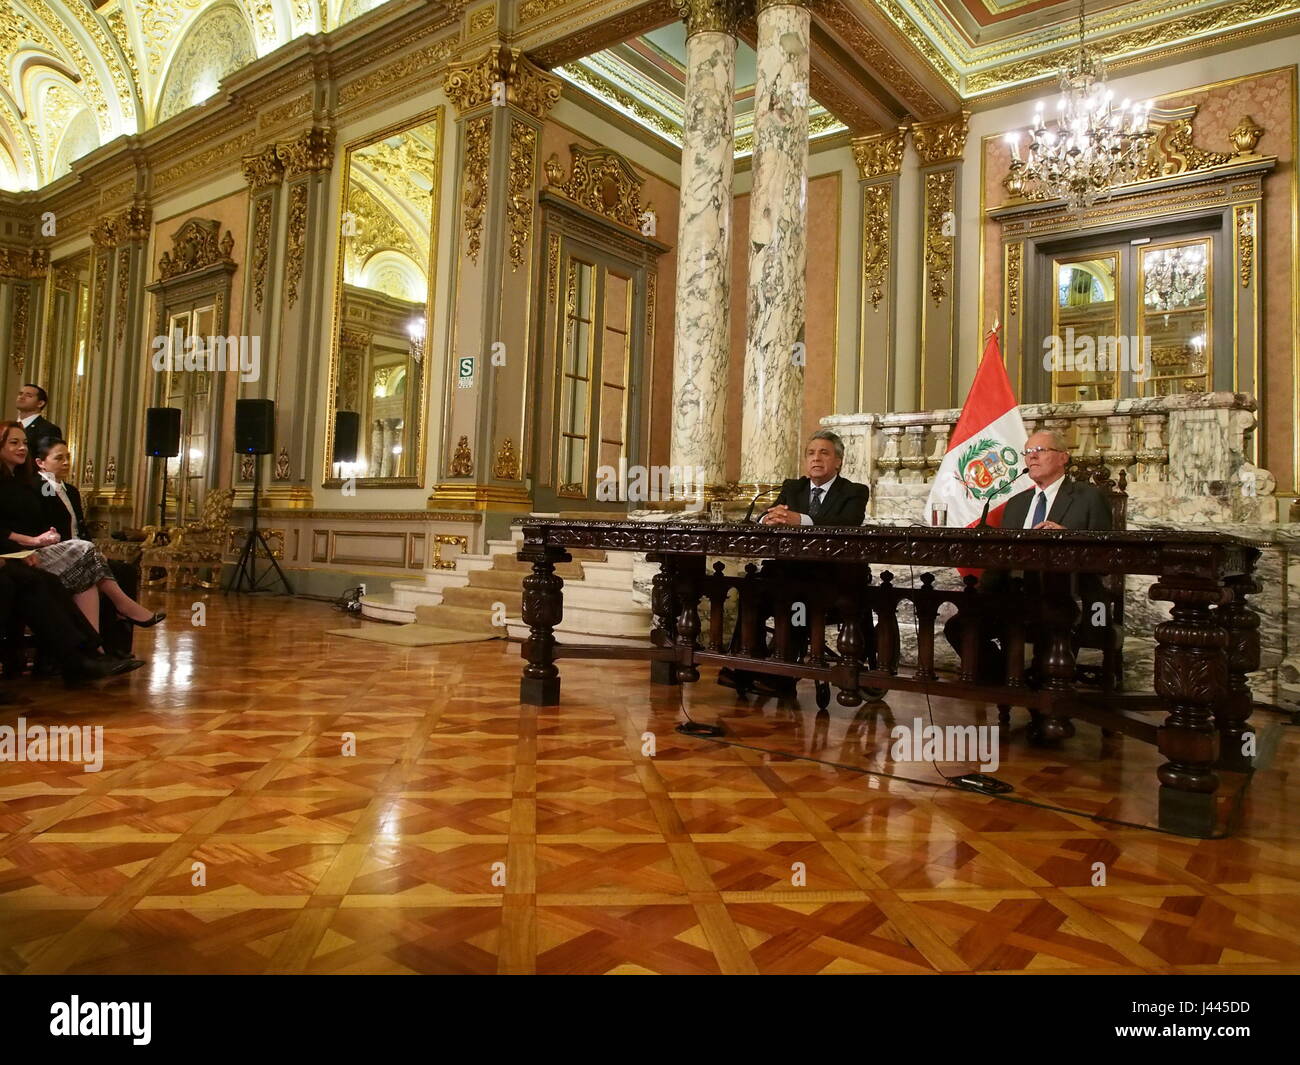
{"points": [[778, 209]]}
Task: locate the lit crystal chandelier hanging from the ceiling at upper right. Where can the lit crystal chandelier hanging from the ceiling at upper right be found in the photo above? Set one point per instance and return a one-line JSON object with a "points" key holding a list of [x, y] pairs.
{"points": [[1090, 149]]}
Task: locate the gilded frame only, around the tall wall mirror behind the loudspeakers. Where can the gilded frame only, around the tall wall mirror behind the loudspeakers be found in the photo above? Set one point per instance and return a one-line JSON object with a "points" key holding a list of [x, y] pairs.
{"points": [[435, 116]]}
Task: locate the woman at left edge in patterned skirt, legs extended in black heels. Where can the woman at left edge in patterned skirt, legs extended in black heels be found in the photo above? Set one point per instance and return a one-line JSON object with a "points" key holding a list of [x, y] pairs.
{"points": [[24, 523]]}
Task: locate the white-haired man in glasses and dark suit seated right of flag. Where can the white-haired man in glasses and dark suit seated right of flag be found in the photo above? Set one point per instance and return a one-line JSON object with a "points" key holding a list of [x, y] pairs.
{"points": [[1054, 503]]}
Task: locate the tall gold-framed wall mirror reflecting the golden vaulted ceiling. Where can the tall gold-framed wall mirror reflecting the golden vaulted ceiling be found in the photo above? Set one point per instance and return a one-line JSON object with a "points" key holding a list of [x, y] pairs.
{"points": [[388, 243]]}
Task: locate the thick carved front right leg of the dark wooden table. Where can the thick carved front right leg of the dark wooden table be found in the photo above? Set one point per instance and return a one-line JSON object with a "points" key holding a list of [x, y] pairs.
{"points": [[1191, 674]]}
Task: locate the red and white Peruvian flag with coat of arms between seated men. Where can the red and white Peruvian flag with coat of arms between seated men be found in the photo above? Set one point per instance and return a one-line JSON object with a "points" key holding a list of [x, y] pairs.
{"points": [[983, 465]]}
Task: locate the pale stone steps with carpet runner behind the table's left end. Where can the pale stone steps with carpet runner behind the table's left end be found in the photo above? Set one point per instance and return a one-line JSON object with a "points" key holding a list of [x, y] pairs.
{"points": [[599, 599]]}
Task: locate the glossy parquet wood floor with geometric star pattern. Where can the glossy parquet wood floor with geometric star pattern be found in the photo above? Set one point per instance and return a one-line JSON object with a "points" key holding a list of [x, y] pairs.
{"points": [[467, 834]]}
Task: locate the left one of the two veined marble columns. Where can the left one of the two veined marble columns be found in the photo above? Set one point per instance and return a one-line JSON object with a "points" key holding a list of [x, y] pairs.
{"points": [[703, 340]]}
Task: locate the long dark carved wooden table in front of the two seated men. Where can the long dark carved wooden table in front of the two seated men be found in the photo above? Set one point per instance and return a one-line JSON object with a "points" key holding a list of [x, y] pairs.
{"points": [[1203, 653]]}
